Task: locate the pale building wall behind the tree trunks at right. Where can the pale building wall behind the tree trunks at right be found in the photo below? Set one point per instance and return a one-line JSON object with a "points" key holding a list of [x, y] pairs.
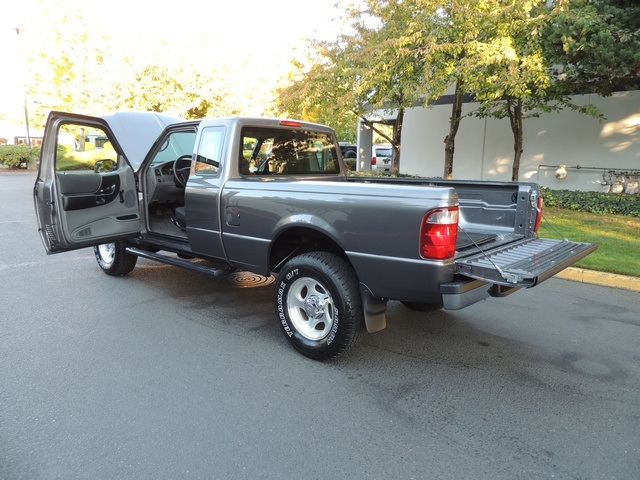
{"points": [[484, 147]]}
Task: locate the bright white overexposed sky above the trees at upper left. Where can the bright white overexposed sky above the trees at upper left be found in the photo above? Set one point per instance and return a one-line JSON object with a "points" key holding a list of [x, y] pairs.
{"points": [[261, 37]]}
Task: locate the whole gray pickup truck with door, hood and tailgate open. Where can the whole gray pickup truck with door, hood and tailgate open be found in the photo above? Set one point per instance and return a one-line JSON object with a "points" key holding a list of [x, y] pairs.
{"points": [[271, 196]]}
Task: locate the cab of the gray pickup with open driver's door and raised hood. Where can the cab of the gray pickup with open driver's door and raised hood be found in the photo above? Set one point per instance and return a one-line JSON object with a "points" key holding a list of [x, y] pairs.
{"points": [[164, 182]]}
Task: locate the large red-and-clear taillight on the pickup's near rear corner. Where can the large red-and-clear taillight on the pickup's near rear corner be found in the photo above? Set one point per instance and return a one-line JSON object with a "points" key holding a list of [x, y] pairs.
{"points": [[439, 233]]}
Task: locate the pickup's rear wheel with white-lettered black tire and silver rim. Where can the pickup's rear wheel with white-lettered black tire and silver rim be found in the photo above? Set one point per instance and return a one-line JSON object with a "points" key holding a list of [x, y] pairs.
{"points": [[318, 304]]}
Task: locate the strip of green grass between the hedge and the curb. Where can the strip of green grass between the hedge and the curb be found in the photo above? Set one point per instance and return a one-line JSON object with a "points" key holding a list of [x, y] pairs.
{"points": [[618, 237]]}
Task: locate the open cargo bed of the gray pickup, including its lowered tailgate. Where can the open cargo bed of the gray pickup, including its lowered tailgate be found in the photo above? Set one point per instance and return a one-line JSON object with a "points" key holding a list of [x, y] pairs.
{"points": [[496, 238]]}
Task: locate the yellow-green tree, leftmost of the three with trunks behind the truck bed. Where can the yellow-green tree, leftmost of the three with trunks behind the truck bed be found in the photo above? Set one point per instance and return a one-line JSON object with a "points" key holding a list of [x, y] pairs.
{"points": [[376, 66]]}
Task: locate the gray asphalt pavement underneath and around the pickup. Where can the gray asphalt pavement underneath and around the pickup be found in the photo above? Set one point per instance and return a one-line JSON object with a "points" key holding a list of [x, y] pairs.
{"points": [[167, 374]]}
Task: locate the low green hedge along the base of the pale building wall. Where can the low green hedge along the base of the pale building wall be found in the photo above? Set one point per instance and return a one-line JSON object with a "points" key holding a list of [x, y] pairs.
{"points": [[593, 202]]}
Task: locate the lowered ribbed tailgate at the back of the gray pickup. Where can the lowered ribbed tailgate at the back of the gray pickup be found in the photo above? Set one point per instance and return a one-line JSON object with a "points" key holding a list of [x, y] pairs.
{"points": [[524, 263]]}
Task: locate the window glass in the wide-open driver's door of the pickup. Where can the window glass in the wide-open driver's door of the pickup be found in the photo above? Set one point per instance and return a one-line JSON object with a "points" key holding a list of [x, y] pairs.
{"points": [[84, 148]]}
